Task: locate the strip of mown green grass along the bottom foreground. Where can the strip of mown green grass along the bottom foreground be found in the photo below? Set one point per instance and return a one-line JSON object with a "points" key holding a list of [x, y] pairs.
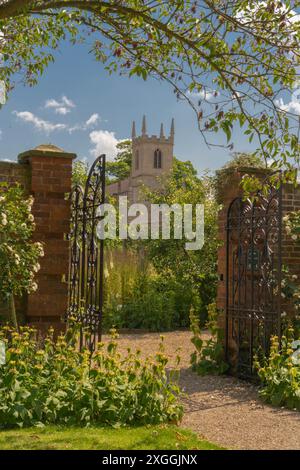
{"points": [[95, 438]]}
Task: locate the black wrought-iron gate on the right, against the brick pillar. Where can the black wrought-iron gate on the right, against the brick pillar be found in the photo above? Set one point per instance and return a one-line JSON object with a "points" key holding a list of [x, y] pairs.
{"points": [[253, 277]]}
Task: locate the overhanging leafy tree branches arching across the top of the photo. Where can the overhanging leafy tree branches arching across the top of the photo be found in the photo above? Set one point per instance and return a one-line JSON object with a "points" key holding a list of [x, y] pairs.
{"points": [[234, 61]]}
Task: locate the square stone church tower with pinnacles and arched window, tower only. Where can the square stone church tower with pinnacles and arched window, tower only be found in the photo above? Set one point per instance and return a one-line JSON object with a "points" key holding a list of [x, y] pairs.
{"points": [[152, 155]]}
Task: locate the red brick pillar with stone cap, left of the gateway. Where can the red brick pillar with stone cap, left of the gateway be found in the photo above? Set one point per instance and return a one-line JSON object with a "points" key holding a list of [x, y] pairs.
{"points": [[51, 171]]}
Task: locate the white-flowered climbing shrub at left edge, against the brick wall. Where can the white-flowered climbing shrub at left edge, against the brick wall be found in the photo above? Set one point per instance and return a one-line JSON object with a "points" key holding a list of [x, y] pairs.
{"points": [[19, 255]]}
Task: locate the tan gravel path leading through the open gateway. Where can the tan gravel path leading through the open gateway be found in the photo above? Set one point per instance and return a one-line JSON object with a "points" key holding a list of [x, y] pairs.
{"points": [[224, 410]]}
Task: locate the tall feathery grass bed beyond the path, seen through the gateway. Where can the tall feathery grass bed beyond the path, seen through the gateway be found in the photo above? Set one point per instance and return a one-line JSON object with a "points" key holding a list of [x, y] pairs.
{"points": [[136, 296]]}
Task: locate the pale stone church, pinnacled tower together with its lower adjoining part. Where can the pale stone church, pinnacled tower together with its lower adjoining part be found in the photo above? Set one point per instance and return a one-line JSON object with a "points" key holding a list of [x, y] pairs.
{"points": [[152, 157]]}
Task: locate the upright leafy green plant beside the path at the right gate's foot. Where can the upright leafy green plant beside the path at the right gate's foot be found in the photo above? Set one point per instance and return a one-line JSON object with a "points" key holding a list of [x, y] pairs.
{"points": [[209, 355]]}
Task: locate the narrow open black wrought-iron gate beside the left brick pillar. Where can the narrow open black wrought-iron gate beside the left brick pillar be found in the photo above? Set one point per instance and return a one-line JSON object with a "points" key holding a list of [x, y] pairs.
{"points": [[85, 297]]}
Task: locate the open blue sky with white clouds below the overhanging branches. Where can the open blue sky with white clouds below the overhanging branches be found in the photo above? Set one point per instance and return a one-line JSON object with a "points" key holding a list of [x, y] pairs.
{"points": [[78, 106]]}
